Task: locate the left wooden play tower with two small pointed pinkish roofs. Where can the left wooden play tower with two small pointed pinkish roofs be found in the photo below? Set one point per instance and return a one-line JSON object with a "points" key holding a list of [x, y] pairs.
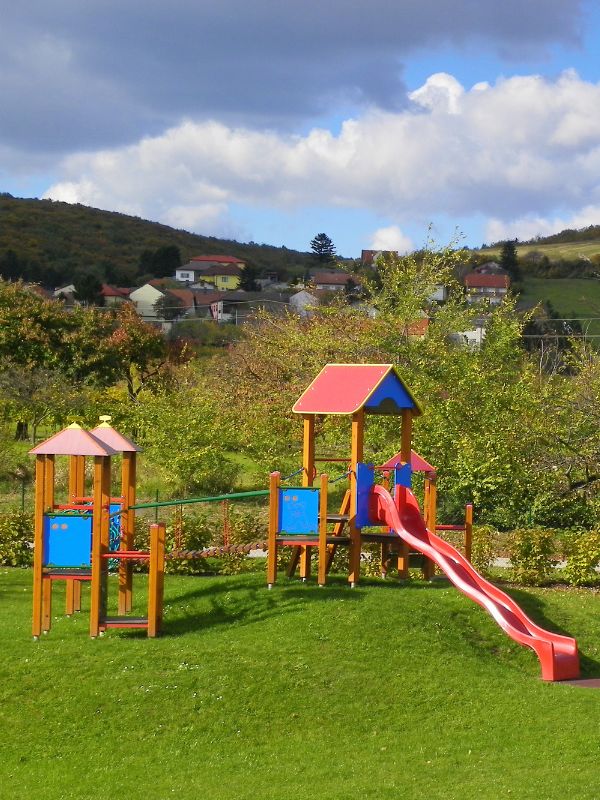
{"points": [[74, 541]]}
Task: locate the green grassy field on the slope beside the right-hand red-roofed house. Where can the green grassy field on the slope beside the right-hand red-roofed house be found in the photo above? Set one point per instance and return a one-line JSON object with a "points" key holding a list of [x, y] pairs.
{"points": [[571, 297]]}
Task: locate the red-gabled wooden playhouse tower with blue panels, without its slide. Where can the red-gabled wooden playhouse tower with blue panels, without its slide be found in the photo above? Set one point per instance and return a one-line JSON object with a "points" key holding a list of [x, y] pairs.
{"points": [[299, 517]]}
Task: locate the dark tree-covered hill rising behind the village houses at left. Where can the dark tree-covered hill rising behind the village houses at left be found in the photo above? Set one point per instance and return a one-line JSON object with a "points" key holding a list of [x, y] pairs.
{"points": [[54, 240]]}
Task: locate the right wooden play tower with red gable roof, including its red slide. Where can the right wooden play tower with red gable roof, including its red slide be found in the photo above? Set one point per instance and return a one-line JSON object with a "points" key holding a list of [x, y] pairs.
{"points": [[299, 516]]}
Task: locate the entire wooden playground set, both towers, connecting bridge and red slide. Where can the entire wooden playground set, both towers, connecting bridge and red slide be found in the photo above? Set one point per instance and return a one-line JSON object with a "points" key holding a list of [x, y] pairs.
{"points": [[76, 541]]}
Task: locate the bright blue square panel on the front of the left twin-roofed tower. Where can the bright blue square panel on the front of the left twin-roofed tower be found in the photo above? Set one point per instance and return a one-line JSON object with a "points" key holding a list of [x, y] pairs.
{"points": [[67, 541]]}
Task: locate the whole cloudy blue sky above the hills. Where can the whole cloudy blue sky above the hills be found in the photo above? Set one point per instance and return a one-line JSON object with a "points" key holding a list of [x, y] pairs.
{"points": [[380, 122]]}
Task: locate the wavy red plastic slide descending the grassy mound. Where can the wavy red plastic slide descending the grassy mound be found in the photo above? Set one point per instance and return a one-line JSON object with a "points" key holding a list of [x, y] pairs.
{"points": [[557, 654]]}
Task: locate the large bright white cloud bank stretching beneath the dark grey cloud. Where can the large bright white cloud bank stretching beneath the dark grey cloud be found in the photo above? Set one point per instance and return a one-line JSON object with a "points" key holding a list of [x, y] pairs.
{"points": [[521, 149]]}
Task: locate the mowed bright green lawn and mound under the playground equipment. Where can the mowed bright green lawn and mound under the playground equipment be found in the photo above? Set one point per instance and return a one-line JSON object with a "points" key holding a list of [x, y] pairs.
{"points": [[384, 691]]}
